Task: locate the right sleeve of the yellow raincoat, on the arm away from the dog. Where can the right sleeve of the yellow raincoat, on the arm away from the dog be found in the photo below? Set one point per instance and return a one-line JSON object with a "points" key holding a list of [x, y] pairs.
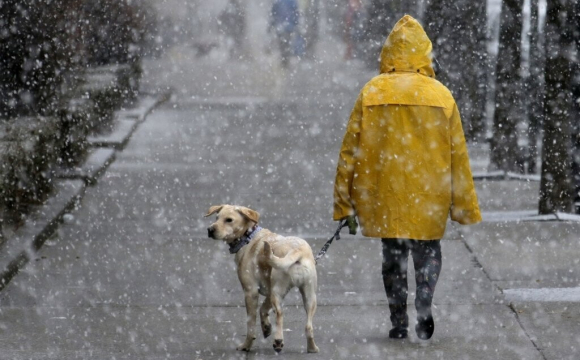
{"points": [[464, 205]]}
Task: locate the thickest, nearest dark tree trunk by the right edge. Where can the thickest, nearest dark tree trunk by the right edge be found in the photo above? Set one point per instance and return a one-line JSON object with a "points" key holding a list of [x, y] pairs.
{"points": [[556, 186]]}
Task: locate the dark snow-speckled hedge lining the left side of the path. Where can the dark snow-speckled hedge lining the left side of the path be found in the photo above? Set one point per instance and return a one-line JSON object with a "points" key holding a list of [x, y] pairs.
{"points": [[66, 66]]}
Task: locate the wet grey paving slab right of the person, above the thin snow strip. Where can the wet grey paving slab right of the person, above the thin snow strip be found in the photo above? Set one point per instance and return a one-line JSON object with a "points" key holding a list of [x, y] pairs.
{"points": [[527, 252]]}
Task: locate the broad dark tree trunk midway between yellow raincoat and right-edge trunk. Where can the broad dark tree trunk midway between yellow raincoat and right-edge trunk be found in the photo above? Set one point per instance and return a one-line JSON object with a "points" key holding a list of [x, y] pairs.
{"points": [[508, 110]]}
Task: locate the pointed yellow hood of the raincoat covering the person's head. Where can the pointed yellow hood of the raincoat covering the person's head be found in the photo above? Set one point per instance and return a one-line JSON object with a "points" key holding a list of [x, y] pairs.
{"points": [[407, 49]]}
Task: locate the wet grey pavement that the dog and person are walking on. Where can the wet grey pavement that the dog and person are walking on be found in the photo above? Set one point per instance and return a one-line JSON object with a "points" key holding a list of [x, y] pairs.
{"points": [[132, 275]]}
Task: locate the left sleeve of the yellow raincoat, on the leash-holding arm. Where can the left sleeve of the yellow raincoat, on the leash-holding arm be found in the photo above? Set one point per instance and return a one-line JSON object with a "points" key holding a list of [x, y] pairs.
{"points": [[343, 205]]}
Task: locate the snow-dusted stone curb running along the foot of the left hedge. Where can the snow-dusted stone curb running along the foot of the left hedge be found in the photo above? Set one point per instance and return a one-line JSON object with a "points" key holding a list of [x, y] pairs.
{"points": [[70, 187]]}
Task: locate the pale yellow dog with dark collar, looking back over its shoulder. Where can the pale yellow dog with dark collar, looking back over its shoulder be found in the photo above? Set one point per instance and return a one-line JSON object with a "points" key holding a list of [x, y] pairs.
{"points": [[267, 264]]}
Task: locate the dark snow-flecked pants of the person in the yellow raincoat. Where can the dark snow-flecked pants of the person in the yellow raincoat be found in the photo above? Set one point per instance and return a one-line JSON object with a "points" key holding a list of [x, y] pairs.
{"points": [[427, 261]]}
